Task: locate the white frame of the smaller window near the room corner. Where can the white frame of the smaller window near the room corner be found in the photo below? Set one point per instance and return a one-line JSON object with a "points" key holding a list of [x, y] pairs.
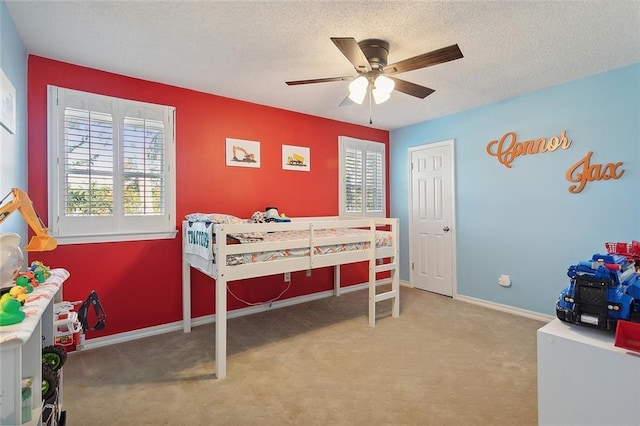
{"points": [[344, 143]]}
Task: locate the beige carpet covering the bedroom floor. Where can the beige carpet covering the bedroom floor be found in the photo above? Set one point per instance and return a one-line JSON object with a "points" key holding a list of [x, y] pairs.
{"points": [[443, 362]]}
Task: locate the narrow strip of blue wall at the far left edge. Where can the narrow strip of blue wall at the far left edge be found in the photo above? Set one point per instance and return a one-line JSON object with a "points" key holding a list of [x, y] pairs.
{"points": [[13, 147]]}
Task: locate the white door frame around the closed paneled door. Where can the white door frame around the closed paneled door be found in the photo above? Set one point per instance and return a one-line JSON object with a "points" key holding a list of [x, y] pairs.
{"points": [[450, 143]]}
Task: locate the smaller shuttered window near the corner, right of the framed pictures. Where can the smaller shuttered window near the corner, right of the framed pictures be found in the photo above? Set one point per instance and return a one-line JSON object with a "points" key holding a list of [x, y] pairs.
{"points": [[362, 178]]}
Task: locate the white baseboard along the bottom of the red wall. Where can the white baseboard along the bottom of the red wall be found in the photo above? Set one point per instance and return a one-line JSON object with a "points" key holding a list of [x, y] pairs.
{"points": [[113, 339]]}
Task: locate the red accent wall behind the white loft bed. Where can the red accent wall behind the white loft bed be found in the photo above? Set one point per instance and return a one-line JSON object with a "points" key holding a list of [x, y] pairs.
{"points": [[139, 283]]}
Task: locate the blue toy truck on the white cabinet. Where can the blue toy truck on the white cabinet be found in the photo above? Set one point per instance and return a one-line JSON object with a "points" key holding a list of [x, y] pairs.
{"points": [[601, 292]]}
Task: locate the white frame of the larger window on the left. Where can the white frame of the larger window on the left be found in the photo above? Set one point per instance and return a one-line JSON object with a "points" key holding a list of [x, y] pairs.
{"points": [[117, 227]]}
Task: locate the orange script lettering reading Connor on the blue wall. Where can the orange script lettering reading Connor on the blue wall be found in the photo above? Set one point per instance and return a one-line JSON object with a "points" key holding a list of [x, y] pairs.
{"points": [[508, 148]]}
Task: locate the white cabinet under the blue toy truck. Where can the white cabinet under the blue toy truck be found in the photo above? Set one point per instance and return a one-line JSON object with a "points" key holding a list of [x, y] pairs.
{"points": [[583, 379]]}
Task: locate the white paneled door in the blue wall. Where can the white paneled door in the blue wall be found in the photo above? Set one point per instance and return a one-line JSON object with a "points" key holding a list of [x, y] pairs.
{"points": [[431, 240]]}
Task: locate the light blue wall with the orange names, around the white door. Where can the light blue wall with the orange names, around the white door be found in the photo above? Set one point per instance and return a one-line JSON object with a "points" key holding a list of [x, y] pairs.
{"points": [[523, 221]]}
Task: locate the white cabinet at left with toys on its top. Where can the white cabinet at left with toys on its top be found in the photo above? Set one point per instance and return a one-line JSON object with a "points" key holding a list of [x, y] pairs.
{"points": [[21, 351]]}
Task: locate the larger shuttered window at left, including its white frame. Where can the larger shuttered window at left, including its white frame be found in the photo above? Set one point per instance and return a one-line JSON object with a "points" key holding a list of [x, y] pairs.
{"points": [[111, 168]]}
